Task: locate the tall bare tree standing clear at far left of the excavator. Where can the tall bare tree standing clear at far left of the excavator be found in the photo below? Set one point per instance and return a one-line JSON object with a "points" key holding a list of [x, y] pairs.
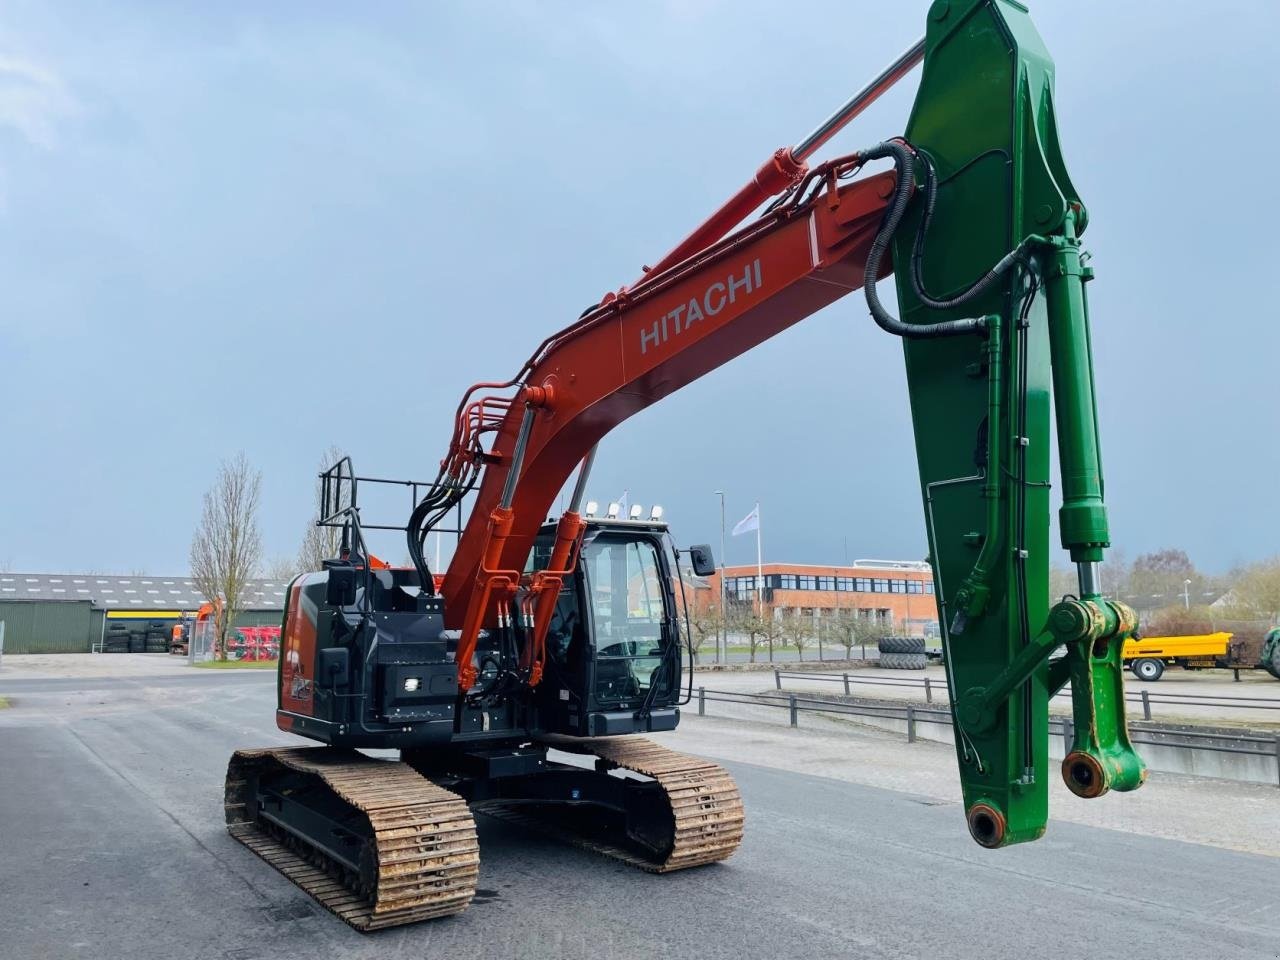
{"points": [[227, 547]]}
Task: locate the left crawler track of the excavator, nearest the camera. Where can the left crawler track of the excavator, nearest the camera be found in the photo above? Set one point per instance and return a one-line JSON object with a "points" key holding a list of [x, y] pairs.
{"points": [[424, 849]]}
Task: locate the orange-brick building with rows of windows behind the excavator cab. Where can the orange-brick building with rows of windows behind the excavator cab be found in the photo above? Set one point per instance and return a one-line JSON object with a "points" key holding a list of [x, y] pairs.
{"points": [[898, 595]]}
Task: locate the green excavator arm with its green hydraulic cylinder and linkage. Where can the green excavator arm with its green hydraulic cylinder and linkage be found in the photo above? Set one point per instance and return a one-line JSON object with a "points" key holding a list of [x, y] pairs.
{"points": [[984, 127]]}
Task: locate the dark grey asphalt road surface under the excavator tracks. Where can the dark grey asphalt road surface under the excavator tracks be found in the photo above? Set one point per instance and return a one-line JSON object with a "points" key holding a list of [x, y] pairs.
{"points": [[112, 845]]}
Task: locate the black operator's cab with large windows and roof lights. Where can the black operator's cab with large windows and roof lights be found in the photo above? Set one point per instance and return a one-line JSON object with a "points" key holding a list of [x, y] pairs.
{"points": [[614, 643]]}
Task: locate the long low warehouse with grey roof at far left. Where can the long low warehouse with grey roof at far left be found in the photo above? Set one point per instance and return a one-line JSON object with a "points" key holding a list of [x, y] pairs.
{"points": [[72, 612]]}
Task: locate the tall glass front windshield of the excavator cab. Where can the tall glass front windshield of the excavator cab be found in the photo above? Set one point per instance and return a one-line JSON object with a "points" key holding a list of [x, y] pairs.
{"points": [[629, 612]]}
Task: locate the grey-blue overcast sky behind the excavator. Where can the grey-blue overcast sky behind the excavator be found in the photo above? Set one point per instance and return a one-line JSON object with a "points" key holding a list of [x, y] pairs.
{"points": [[273, 227]]}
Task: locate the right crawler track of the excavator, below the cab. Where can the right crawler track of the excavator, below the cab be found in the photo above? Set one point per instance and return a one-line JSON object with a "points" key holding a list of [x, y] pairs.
{"points": [[706, 806]]}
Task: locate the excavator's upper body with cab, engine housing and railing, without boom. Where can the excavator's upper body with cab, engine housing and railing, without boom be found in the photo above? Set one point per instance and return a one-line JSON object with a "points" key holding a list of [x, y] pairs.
{"points": [[367, 660]]}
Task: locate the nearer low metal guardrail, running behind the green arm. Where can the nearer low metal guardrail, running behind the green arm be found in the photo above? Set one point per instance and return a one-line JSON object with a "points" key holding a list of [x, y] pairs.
{"points": [[1242, 744]]}
